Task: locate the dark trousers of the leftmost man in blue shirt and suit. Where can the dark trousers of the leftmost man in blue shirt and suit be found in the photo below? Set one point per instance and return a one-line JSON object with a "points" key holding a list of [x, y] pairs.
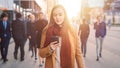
{"points": [[4, 47]]}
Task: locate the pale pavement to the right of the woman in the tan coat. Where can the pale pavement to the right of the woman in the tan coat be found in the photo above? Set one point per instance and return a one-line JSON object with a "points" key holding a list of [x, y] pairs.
{"points": [[111, 51]]}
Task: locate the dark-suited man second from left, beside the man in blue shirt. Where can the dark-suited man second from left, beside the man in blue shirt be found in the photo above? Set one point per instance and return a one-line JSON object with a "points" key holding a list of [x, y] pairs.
{"points": [[19, 37]]}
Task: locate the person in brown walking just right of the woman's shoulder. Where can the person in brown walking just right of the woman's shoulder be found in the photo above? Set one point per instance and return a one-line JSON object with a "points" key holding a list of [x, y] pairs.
{"points": [[84, 31]]}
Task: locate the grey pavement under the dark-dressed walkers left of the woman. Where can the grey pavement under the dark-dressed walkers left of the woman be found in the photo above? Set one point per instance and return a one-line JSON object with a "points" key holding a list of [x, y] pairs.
{"points": [[12, 63]]}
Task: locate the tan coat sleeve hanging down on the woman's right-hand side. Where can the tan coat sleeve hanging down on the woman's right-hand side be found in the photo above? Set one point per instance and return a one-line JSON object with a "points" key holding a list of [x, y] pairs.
{"points": [[78, 54]]}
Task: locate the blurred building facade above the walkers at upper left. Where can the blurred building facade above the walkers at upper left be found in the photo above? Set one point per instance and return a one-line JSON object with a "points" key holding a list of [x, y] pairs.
{"points": [[22, 6]]}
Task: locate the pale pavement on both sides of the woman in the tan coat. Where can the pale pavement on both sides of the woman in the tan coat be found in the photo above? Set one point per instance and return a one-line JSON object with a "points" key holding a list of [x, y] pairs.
{"points": [[110, 55]]}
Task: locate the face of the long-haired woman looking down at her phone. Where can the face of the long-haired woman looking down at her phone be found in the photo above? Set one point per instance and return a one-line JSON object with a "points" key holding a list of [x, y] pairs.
{"points": [[58, 16]]}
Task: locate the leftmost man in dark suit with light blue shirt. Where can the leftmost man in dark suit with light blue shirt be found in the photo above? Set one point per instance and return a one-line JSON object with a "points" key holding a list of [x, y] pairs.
{"points": [[5, 35]]}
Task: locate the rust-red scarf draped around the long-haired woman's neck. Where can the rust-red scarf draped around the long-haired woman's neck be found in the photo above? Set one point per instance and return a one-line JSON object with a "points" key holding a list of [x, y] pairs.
{"points": [[65, 54]]}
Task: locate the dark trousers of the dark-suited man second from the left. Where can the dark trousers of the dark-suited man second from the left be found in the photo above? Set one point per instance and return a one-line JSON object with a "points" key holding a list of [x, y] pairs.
{"points": [[19, 43]]}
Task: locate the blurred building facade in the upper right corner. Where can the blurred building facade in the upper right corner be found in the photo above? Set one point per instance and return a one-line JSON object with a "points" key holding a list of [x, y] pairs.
{"points": [[112, 11]]}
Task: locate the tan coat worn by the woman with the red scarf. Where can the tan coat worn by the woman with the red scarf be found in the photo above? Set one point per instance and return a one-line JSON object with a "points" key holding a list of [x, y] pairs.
{"points": [[50, 56]]}
